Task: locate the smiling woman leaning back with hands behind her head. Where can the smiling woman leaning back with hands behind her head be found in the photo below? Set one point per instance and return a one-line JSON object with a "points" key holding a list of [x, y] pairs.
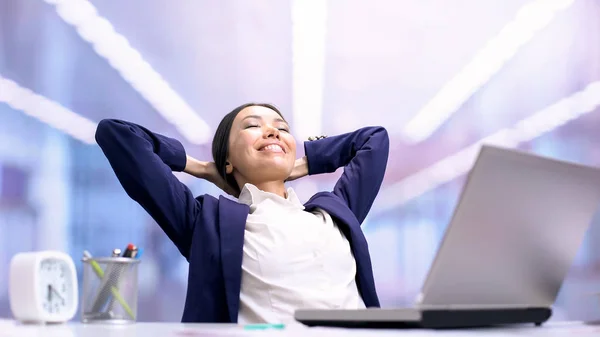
{"points": [[266, 255]]}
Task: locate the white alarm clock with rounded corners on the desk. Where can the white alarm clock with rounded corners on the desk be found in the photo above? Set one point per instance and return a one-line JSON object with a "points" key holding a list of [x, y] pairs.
{"points": [[43, 287]]}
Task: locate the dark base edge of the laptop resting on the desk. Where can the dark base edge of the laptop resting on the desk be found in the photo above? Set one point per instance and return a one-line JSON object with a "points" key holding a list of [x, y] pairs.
{"points": [[447, 319]]}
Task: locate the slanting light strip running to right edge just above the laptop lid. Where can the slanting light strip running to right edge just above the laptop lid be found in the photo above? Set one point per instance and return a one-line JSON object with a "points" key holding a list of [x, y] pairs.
{"points": [[455, 165]]}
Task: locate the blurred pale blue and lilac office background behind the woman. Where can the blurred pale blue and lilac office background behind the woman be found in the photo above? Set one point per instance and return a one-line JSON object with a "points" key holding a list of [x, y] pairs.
{"points": [[441, 76]]}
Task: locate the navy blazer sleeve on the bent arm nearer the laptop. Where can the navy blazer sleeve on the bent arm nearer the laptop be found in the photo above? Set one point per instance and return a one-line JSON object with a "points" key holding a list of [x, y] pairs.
{"points": [[363, 154]]}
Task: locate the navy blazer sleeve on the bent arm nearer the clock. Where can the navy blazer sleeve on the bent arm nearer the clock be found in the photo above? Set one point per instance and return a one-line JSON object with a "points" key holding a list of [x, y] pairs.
{"points": [[143, 162]]}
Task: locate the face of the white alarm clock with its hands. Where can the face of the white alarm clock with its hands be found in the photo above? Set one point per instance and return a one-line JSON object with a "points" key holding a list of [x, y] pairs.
{"points": [[55, 288]]}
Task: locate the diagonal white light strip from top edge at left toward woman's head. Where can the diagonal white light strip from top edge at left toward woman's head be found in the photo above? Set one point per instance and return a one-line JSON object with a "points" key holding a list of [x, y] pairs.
{"points": [[115, 48]]}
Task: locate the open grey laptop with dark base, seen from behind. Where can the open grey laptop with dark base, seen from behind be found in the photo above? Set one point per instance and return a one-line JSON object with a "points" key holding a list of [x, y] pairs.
{"points": [[514, 234]]}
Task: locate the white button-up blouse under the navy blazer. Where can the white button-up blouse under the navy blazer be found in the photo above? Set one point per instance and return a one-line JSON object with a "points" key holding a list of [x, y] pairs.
{"points": [[292, 259]]}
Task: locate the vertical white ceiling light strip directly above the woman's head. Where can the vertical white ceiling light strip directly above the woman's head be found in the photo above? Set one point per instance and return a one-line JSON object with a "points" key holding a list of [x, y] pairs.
{"points": [[309, 24]]}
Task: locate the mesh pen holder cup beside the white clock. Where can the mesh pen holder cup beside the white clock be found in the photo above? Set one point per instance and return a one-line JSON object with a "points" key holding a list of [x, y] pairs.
{"points": [[110, 290]]}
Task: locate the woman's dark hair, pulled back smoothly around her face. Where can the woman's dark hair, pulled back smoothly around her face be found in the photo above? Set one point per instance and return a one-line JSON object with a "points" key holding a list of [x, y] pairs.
{"points": [[220, 145]]}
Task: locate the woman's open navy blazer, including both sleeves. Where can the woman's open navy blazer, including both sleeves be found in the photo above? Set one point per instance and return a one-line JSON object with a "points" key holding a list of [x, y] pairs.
{"points": [[209, 232]]}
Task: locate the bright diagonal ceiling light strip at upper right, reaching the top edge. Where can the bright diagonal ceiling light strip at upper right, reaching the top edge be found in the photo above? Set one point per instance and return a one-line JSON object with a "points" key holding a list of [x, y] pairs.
{"points": [[530, 19]]}
